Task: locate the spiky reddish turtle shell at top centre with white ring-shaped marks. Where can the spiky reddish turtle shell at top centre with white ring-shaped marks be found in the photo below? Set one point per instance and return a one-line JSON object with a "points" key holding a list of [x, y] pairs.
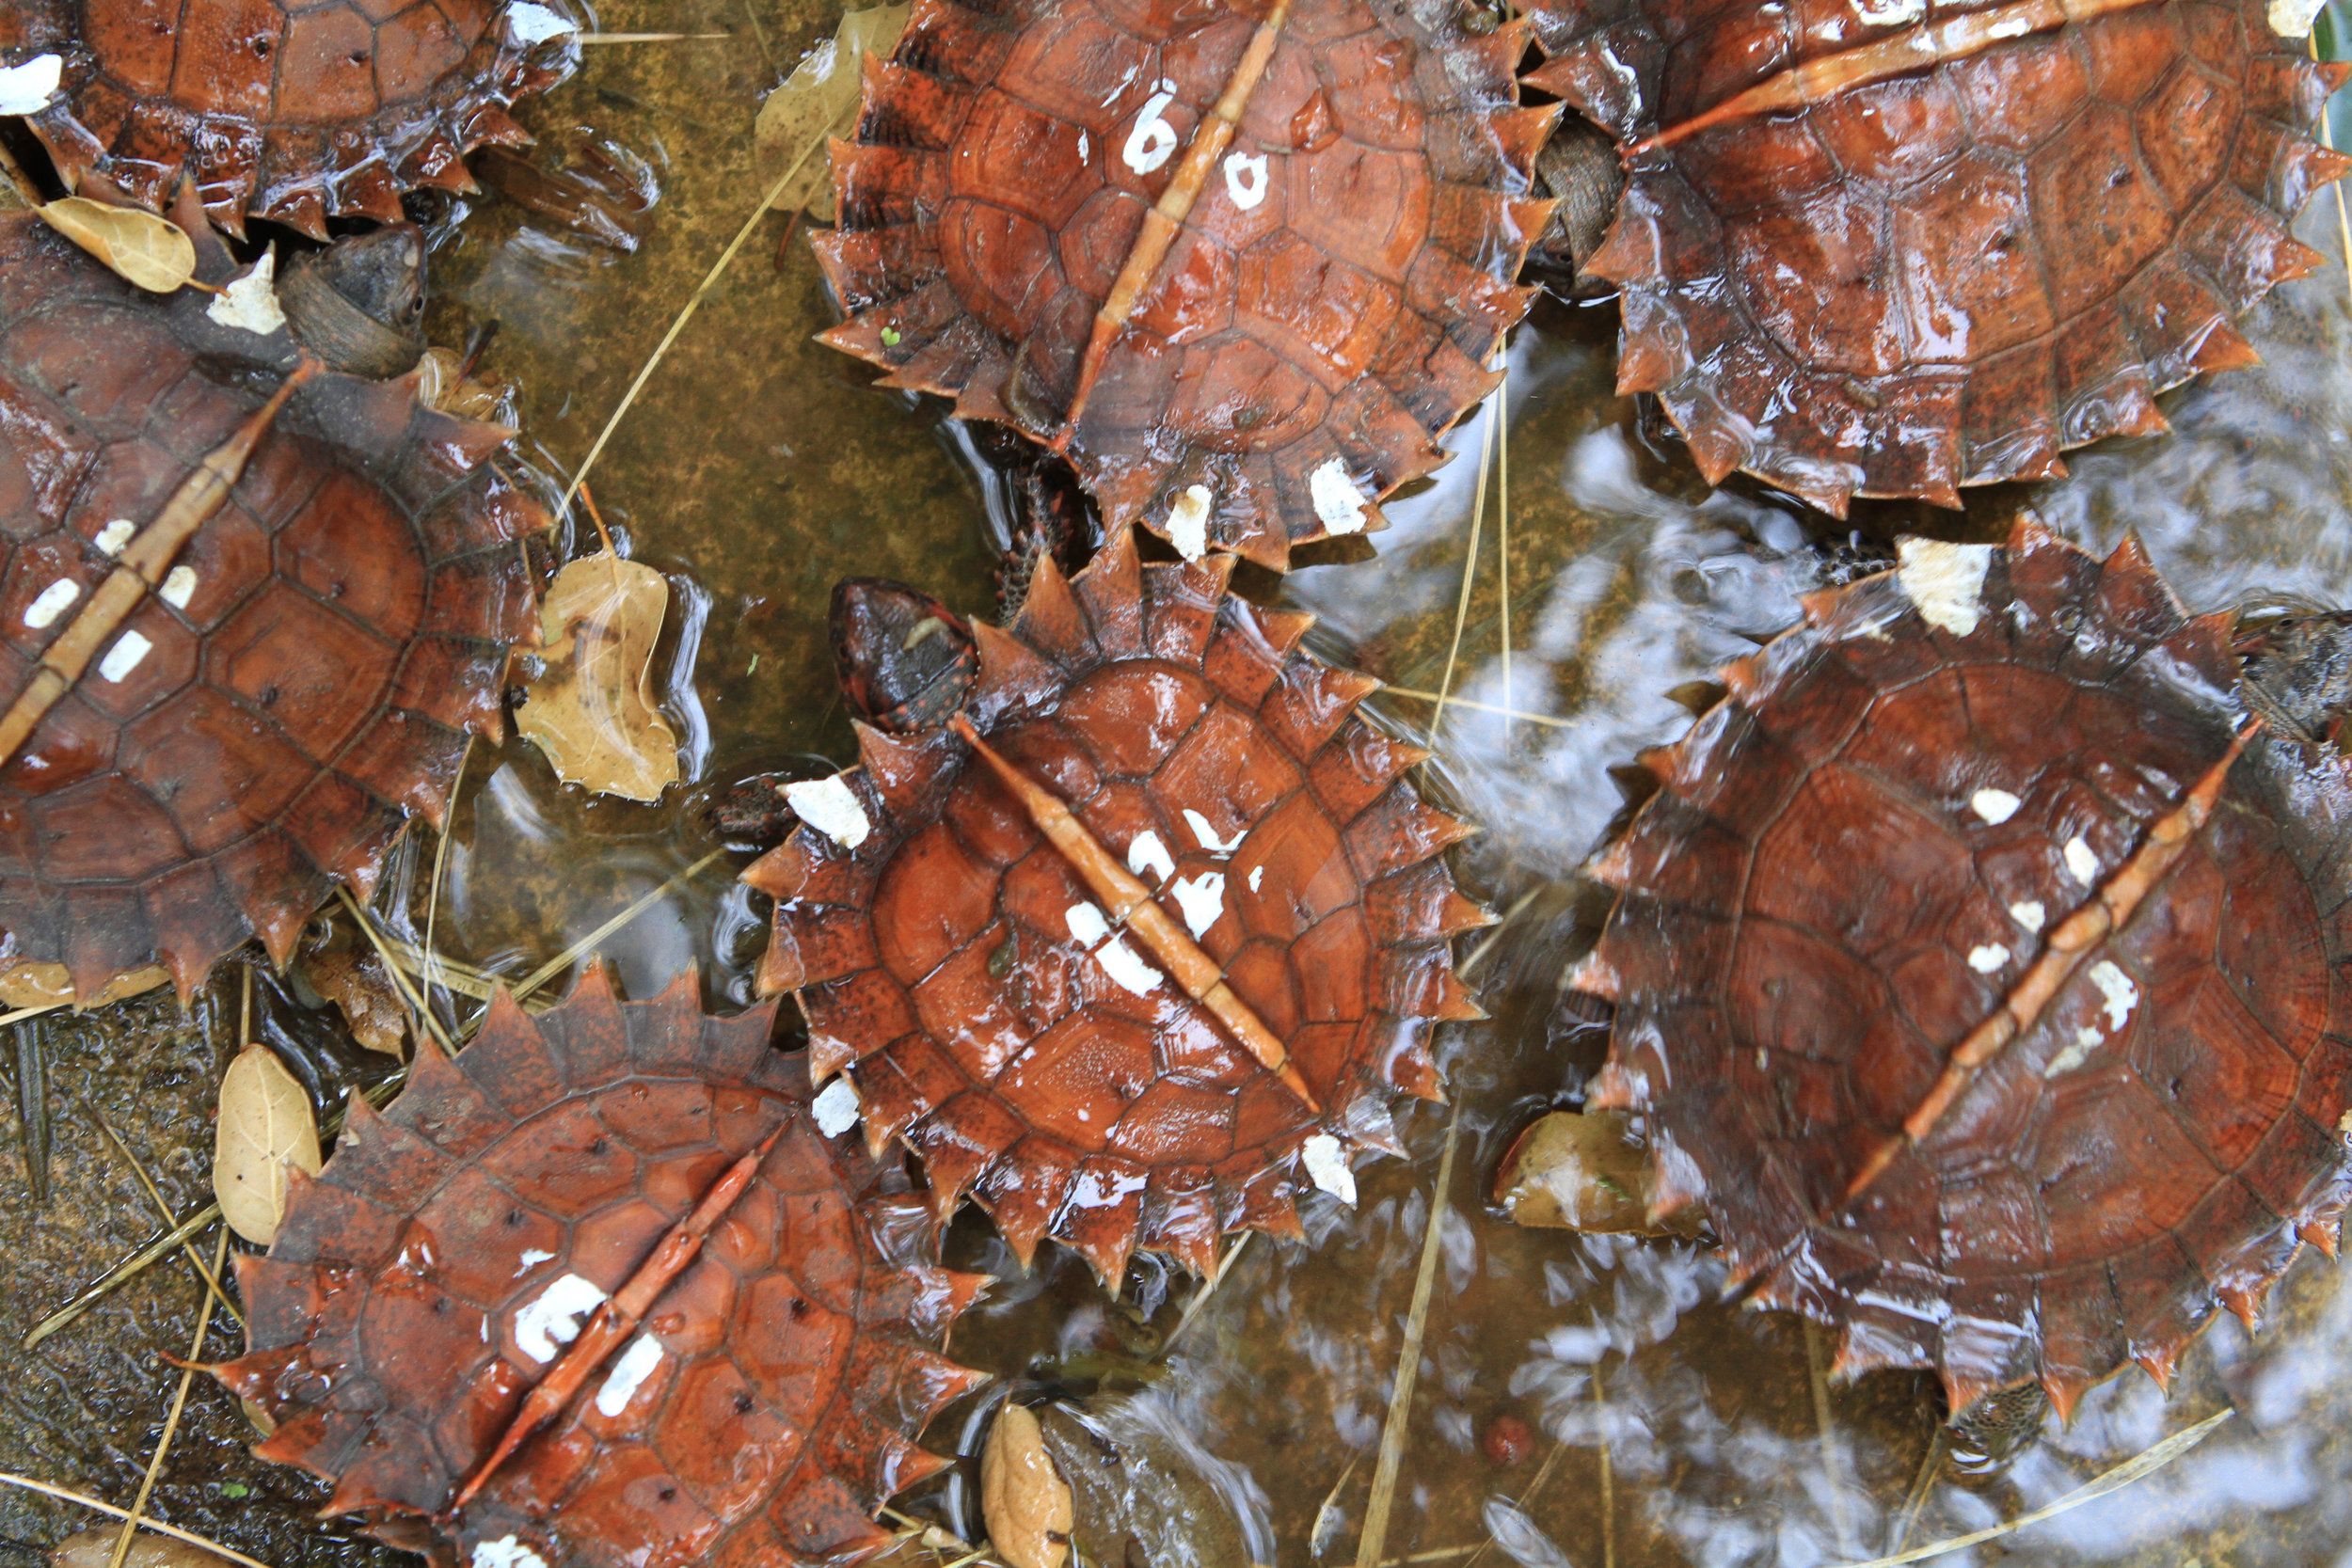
{"points": [[1342, 321]]}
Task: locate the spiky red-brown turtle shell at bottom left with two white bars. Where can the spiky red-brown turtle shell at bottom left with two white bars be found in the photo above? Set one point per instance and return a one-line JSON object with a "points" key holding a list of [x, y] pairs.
{"points": [[403, 1311]]}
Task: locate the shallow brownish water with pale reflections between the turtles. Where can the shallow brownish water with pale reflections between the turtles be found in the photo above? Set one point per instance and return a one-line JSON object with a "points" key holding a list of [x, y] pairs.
{"points": [[1669, 1430]]}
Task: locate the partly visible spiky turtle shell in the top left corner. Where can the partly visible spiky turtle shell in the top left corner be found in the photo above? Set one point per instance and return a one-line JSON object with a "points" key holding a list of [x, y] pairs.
{"points": [[295, 114]]}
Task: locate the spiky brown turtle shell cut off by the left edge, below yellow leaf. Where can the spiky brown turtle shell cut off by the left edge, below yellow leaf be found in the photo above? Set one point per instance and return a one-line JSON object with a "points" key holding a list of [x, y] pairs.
{"points": [[309, 681]]}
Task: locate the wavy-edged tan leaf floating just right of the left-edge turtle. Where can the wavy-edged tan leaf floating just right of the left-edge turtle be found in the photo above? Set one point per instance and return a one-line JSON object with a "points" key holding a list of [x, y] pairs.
{"points": [[592, 711]]}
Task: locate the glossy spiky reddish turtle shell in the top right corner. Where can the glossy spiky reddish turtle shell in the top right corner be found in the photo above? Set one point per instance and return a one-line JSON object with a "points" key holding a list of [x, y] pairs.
{"points": [[1951, 276]]}
